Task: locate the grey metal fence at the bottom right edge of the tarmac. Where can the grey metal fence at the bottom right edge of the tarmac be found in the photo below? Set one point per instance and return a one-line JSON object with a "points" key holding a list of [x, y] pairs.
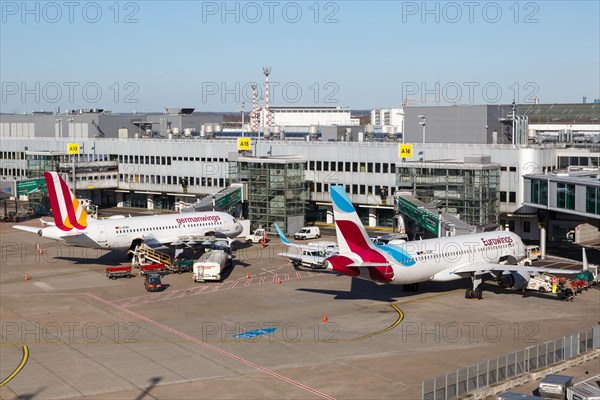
{"points": [[459, 383]]}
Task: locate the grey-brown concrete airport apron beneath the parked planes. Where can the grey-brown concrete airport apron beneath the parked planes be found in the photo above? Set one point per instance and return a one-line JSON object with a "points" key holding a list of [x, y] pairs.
{"points": [[260, 338]]}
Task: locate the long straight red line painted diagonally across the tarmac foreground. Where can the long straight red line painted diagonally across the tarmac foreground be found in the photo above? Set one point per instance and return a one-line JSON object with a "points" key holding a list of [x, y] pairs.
{"points": [[211, 347]]}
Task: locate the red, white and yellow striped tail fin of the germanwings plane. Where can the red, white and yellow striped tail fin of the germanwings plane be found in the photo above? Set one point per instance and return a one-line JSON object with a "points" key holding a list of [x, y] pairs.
{"points": [[68, 212]]}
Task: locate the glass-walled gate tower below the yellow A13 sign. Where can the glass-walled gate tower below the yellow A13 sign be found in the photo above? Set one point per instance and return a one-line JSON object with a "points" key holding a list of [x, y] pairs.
{"points": [[276, 190]]}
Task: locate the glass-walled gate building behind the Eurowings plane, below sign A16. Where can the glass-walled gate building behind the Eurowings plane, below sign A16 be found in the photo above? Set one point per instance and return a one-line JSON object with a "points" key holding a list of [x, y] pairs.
{"points": [[469, 191]]}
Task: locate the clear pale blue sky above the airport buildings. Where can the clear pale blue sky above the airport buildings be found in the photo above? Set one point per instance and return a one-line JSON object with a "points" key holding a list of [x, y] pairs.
{"points": [[148, 55]]}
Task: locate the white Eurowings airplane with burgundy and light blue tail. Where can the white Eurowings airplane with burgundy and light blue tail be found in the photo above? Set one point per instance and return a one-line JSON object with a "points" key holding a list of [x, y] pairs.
{"points": [[437, 260]]}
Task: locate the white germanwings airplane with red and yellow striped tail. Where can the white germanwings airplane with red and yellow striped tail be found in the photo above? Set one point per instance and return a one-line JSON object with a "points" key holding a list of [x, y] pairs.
{"points": [[72, 225]]}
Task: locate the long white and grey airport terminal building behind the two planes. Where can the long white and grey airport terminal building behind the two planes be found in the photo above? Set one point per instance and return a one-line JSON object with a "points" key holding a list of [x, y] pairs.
{"points": [[160, 161]]}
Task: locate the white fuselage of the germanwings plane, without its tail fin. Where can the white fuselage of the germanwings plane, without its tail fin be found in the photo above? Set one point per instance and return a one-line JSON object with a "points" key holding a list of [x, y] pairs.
{"points": [[118, 233]]}
